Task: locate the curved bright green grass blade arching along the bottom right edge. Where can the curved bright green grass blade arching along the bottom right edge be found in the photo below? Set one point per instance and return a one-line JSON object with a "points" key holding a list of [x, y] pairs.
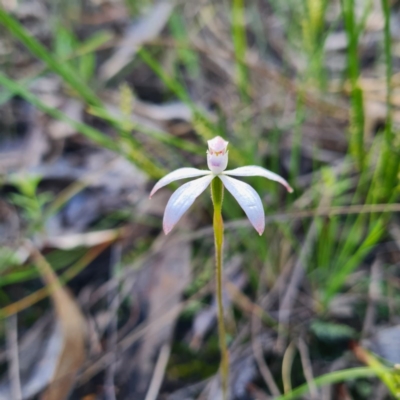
{"points": [[331, 378]]}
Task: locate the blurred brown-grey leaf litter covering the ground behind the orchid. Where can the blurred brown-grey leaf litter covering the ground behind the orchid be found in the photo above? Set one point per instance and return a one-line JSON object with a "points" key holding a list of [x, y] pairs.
{"points": [[142, 324]]}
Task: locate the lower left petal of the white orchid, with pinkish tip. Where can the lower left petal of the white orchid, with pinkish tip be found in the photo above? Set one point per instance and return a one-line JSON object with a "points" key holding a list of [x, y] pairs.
{"points": [[182, 199]]}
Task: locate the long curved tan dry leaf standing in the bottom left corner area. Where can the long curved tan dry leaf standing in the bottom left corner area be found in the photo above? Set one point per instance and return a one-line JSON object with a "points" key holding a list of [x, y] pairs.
{"points": [[72, 329]]}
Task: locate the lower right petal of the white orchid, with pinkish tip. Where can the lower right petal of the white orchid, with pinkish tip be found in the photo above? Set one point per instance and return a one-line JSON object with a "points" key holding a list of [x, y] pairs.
{"points": [[248, 199]]}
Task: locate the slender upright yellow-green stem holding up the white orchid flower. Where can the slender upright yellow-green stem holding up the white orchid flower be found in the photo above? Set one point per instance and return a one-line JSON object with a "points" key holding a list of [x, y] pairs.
{"points": [[217, 195]]}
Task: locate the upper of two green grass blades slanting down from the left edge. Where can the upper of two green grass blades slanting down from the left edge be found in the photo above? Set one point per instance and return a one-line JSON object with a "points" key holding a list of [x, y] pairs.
{"points": [[37, 49]]}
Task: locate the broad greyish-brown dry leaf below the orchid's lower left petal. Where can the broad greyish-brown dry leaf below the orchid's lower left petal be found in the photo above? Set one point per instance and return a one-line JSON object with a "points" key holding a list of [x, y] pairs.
{"points": [[159, 287]]}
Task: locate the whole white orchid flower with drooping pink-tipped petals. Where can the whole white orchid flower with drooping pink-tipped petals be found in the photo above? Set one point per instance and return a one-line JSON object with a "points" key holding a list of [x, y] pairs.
{"points": [[217, 160]]}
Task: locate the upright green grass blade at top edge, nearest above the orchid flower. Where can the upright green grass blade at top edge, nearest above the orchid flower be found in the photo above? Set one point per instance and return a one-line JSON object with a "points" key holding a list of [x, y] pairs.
{"points": [[240, 46]]}
